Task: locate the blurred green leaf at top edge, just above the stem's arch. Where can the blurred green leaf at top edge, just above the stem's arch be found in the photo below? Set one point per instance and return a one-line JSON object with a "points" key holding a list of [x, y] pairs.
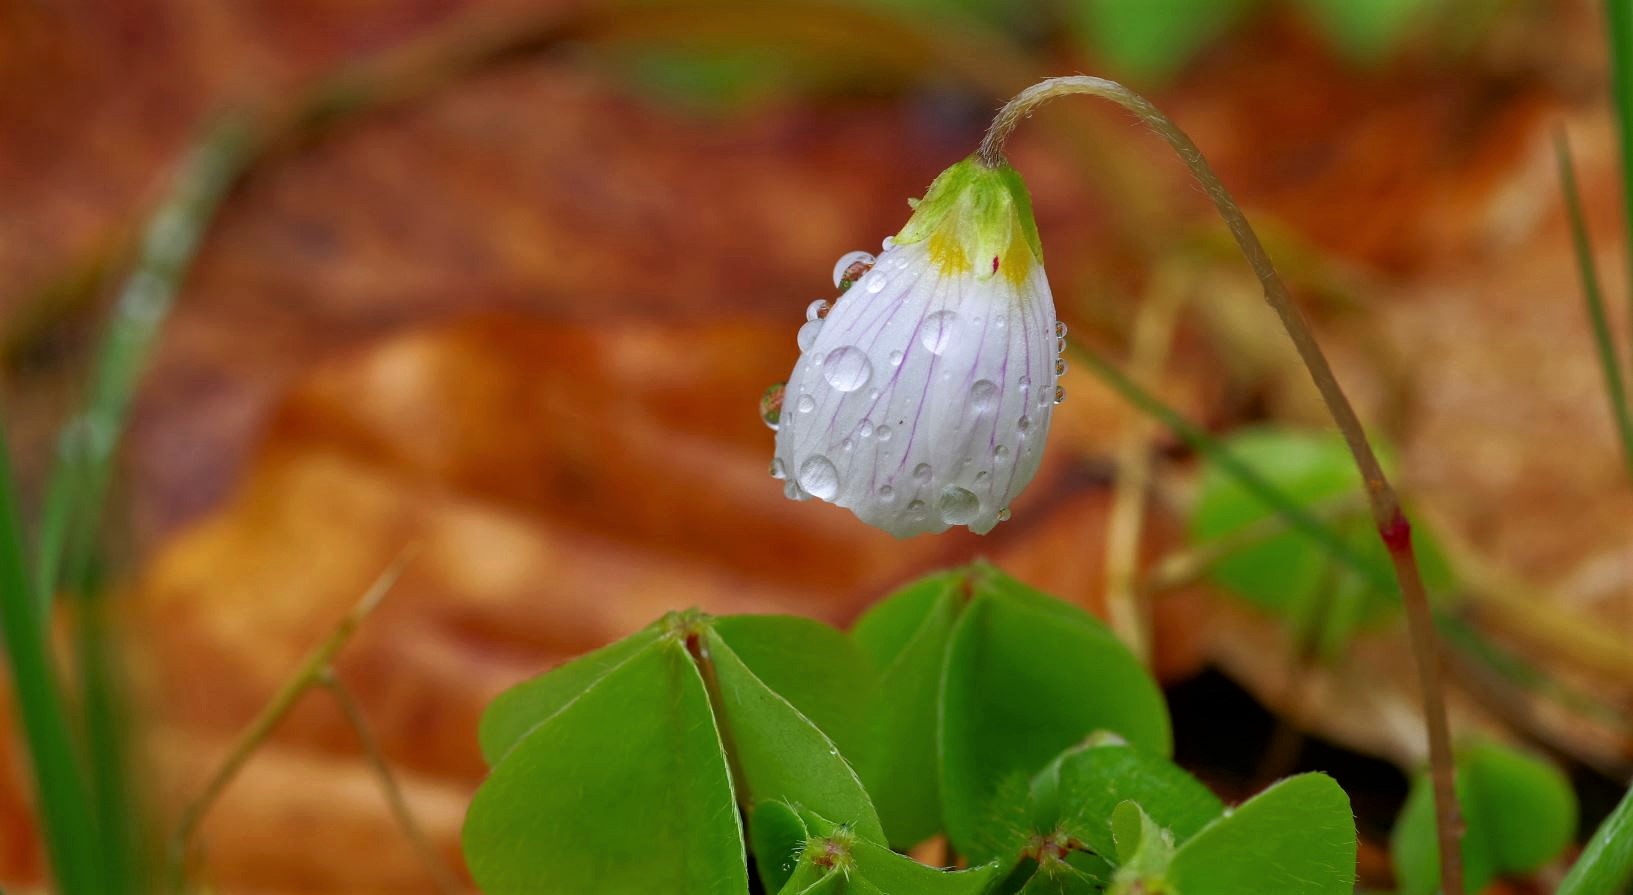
{"points": [[1152, 40]]}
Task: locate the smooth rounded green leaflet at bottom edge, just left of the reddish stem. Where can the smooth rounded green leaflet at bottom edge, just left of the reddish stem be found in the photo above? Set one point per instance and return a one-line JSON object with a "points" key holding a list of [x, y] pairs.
{"points": [[1294, 839]]}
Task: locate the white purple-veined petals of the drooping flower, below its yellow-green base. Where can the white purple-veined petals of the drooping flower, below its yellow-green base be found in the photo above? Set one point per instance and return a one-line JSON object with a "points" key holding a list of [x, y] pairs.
{"points": [[925, 399]]}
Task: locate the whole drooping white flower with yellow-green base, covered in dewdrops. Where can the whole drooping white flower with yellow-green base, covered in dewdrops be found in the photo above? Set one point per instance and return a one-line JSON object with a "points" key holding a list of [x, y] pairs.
{"points": [[922, 401]]}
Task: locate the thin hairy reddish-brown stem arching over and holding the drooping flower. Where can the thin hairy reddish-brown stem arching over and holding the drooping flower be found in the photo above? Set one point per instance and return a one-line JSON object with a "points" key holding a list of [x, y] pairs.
{"points": [[1392, 523]]}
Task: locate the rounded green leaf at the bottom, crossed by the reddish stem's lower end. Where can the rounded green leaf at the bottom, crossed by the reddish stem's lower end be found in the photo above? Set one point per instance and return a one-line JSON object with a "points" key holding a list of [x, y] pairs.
{"points": [[1520, 814]]}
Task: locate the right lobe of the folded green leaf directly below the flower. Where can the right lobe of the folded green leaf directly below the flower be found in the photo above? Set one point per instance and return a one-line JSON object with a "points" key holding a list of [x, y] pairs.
{"points": [[1028, 677]]}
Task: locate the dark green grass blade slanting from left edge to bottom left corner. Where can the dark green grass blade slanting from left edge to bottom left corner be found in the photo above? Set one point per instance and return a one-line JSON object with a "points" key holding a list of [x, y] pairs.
{"points": [[63, 801]]}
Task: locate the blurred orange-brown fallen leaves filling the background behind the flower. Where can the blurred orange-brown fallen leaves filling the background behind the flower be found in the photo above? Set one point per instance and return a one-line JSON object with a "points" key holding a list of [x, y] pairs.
{"points": [[520, 316]]}
